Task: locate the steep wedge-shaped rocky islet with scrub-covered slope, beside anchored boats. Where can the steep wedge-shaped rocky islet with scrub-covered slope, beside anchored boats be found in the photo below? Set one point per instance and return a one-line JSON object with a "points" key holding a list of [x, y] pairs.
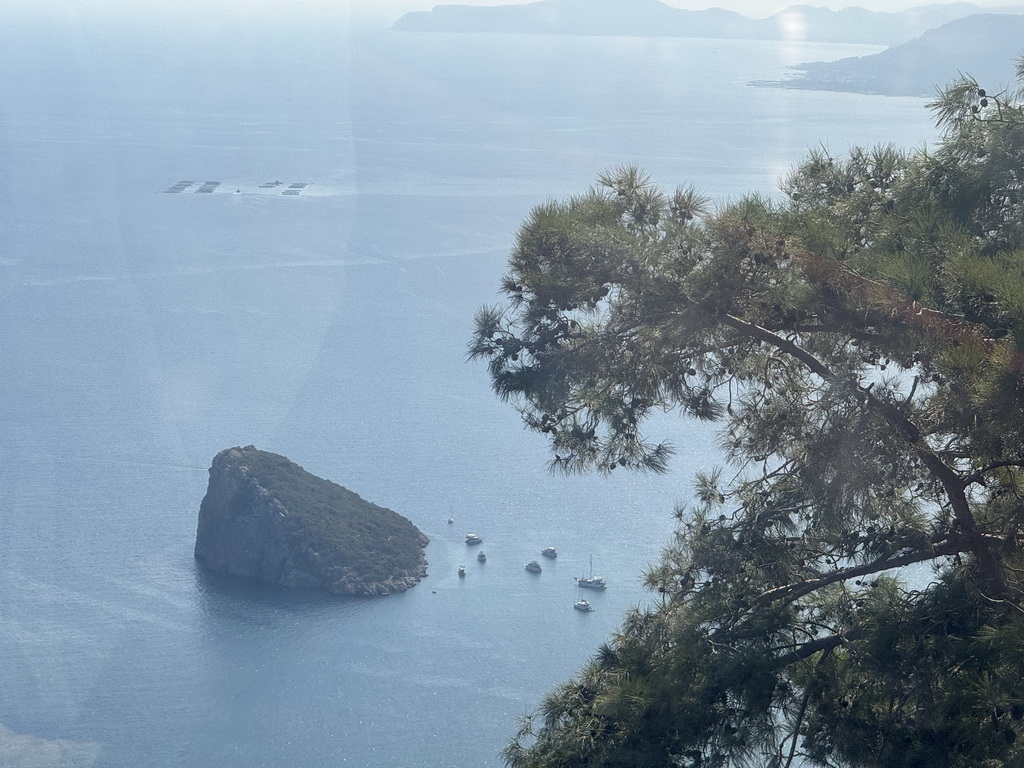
{"points": [[267, 519]]}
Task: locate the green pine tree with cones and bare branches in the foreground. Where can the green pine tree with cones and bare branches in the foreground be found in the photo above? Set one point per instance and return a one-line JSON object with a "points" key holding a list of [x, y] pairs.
{"points": [[848, 591]]}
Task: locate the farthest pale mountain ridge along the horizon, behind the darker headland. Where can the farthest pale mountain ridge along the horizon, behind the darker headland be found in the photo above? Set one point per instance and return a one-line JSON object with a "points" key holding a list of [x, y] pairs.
{"points": [[655, 19]]}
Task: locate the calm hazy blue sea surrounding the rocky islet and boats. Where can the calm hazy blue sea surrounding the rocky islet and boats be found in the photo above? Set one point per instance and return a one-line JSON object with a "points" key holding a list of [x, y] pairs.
{"points": [[142, 331]]}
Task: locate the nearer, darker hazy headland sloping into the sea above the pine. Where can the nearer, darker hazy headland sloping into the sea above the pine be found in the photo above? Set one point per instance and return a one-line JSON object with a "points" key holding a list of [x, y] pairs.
{"points": [[986, 47]]}
